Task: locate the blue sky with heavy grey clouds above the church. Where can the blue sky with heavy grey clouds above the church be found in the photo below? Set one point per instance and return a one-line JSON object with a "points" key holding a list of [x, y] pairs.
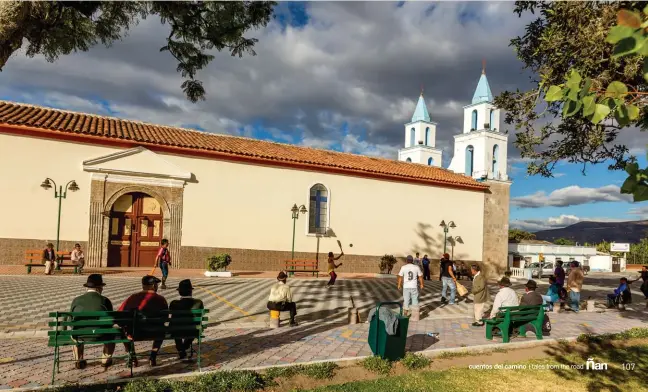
{"points": [[335, 75]]}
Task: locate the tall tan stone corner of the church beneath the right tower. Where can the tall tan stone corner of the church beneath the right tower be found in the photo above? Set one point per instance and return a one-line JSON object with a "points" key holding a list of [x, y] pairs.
{"points": [[496, 225]]}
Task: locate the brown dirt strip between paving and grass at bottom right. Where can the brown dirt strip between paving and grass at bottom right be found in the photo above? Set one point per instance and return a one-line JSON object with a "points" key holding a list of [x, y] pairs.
{"points": [[353, 371]]}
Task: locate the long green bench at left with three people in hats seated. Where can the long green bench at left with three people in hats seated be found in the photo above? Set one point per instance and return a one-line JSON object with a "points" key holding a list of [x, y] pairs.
{"points": [[94, 328]]}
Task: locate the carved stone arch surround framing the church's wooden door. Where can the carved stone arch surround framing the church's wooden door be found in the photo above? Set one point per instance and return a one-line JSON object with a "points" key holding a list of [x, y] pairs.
{"points": [[103, 195]]}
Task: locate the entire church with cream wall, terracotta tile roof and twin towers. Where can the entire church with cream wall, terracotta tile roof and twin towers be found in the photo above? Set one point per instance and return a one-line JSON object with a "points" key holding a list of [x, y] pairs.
{"points": [[125, 185]]}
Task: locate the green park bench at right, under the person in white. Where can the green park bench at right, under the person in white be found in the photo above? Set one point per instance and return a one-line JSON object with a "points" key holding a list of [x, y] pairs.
{"points": [[510, 317]]}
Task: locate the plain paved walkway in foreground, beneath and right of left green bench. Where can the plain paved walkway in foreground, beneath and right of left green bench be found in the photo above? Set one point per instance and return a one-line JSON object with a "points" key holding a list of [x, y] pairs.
{"points": [[28, 362]]}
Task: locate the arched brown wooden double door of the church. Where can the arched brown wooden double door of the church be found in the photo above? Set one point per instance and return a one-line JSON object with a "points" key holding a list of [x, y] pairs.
{"points": [[136, 229]]}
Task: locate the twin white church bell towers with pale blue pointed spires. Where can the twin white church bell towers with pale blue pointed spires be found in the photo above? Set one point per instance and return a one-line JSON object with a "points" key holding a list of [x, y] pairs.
{"points": [[479, 152]]}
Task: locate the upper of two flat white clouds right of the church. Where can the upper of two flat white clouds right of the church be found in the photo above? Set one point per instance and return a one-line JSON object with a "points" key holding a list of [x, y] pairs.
{"points": [[571, 196]]}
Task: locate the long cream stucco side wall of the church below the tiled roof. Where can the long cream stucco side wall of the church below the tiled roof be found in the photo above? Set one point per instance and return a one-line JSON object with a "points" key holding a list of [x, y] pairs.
{"points": [[235, 205]]}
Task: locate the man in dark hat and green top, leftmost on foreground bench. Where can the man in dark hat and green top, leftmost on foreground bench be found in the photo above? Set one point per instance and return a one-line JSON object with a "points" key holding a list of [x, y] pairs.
{"points": [[92, 301]]}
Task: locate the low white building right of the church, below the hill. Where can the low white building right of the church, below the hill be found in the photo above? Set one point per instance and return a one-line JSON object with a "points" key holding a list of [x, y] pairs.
{"points": [[531, 251]]}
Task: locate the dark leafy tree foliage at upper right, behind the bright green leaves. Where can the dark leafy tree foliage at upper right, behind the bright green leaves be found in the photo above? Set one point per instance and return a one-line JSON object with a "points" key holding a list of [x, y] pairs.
{"points": [[563, 37]]}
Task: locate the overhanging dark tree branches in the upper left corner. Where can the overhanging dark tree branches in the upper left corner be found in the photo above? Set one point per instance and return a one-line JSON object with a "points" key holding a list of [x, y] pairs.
{"points": [[55, 28]]}
